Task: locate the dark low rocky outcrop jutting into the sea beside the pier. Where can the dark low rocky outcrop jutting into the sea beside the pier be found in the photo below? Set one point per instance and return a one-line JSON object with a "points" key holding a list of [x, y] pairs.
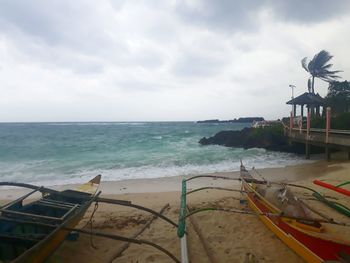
{"points": [[269, 138]]}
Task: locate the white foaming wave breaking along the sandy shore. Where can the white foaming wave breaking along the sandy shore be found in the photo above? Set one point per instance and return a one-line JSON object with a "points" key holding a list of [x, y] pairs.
{"points": [[158, 171]]}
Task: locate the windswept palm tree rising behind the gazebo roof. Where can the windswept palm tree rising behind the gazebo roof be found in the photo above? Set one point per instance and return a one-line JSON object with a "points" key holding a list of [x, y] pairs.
{"points": [[319, 67]]}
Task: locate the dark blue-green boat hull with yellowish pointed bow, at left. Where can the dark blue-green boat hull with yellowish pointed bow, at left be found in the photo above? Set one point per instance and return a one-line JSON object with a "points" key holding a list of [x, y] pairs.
{"points": [[32, 232]]}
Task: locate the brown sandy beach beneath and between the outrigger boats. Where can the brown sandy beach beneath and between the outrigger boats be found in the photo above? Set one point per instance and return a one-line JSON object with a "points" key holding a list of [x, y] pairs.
{"points": [[227, 237]]}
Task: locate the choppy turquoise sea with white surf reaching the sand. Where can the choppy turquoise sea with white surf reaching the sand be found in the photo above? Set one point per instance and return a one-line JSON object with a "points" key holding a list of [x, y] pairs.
{"points": [[73, 152]]}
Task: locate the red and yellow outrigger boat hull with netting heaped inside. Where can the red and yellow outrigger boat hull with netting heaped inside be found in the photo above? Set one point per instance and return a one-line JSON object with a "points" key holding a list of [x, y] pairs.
{"points": [[291, 220]]}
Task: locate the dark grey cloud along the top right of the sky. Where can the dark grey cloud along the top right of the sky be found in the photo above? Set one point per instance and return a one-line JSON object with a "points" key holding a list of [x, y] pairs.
{"points": [[231, 16]]}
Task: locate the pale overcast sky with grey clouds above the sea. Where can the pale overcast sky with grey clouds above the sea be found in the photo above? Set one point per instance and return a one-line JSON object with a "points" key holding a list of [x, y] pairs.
{"points": [[163, 60]]}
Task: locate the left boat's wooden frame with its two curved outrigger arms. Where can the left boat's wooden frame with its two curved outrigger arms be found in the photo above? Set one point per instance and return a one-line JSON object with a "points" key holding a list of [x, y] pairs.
{"points": [[64, 224]]}
